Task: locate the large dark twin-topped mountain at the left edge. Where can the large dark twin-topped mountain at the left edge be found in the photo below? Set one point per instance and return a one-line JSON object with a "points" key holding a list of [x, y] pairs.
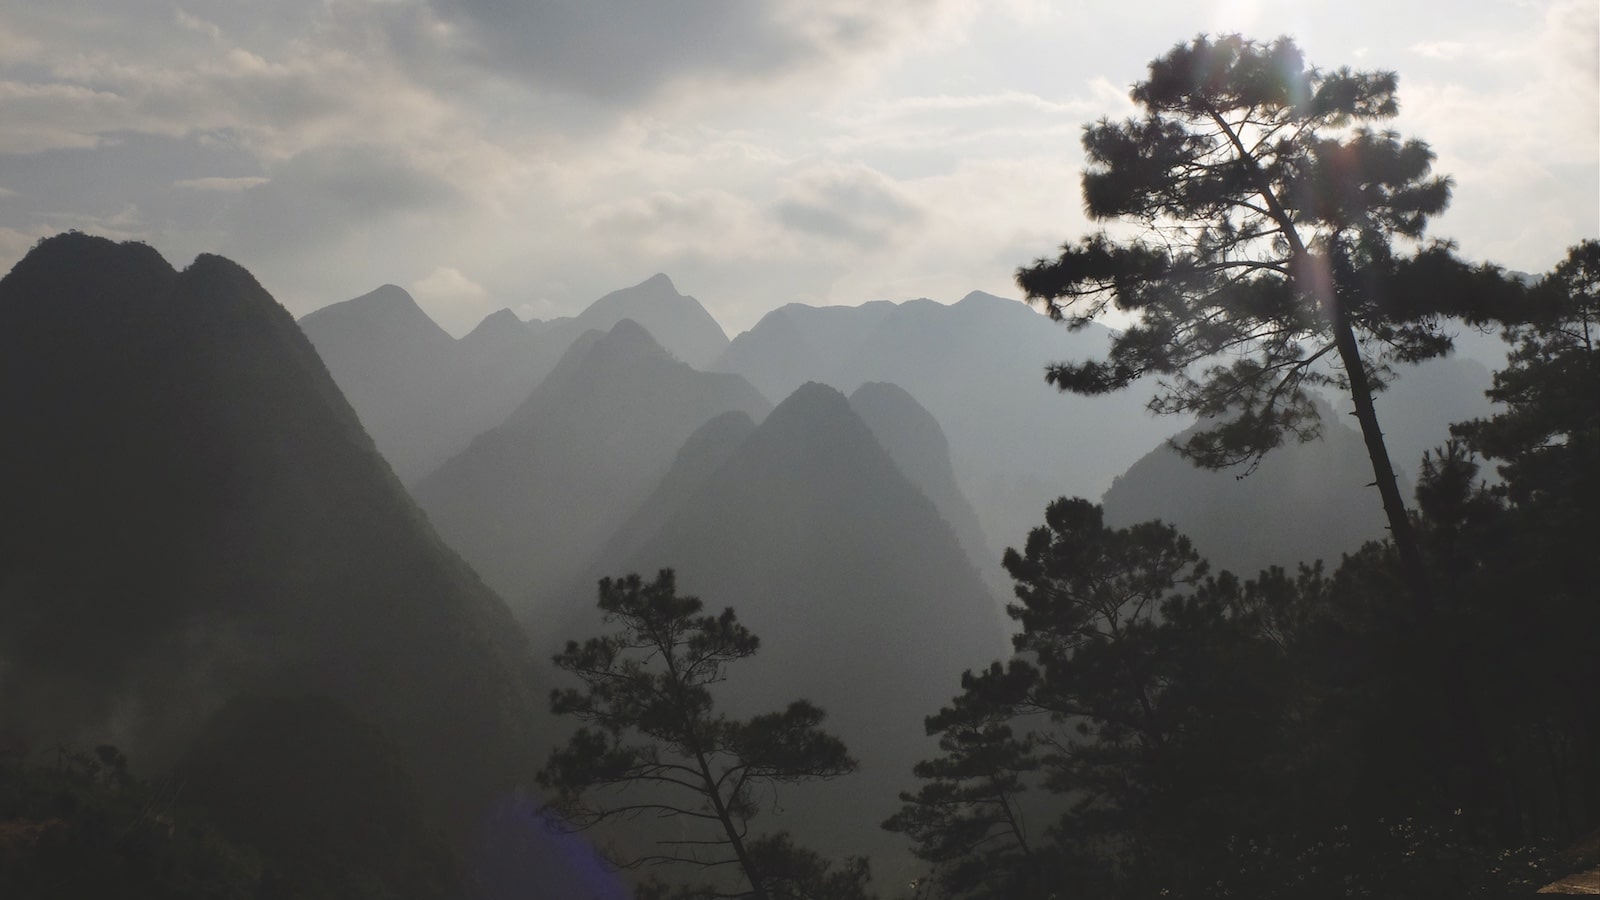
{"points": [[204, 516]]}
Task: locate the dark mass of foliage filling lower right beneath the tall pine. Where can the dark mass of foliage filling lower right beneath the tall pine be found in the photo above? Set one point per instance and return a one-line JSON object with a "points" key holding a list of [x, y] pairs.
{"points": [[1198, 736]]}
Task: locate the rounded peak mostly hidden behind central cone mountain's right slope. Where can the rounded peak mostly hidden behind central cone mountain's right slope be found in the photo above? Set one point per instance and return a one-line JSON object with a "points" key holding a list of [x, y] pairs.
{"points": [[914, 440]]}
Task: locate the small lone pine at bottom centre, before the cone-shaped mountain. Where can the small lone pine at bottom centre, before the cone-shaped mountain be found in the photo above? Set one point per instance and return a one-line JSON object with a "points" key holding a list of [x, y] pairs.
{"points": [[655, 745]]}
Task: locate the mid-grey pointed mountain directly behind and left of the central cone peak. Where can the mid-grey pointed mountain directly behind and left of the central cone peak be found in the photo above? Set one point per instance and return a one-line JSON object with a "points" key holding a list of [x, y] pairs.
{"points": [[530, 502]]}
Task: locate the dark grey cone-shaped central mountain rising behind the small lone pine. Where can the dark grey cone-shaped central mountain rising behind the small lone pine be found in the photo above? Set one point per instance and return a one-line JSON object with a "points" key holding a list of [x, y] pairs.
{"points": [[860, 592]]}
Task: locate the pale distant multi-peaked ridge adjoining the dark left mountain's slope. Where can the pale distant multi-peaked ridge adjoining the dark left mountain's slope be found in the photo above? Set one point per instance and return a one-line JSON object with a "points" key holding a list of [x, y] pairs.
{"points": [[425, 395]]}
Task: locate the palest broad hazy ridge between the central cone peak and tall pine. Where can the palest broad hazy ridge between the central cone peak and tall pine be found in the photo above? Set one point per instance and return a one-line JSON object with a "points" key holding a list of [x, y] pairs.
{"points": [[978, 368]]}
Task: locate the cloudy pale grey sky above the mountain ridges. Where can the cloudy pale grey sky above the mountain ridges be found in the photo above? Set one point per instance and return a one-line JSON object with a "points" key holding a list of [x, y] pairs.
{"points": [[537, 155]]}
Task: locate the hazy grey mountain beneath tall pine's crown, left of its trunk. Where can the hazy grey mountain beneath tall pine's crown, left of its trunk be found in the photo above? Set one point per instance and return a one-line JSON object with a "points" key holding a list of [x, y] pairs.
{"points": [[1305, 502]]}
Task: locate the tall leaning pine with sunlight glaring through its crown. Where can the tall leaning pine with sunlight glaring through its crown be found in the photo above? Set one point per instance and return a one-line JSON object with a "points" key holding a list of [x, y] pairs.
{"points": [[1268, 214]]}
